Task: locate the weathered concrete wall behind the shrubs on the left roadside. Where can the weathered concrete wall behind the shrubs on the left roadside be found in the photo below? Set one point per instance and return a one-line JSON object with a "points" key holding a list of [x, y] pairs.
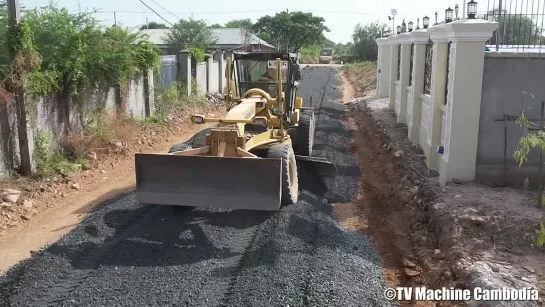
{"points": [[59, 117]]}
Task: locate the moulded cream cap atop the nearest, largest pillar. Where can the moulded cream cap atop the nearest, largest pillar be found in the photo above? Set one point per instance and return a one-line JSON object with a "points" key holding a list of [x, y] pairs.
{"points": [[470, 30]]}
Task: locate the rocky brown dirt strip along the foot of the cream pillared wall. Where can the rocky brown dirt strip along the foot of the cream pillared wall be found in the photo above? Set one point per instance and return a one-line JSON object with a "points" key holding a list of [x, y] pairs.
{"points": [[465, 234]]}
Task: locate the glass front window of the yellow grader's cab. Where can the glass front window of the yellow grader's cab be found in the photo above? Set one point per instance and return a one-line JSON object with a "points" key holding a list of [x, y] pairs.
{"points": [[260, 74]]}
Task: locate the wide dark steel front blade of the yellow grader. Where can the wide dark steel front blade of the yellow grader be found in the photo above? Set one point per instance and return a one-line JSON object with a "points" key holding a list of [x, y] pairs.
{"points": [[208, 181]]}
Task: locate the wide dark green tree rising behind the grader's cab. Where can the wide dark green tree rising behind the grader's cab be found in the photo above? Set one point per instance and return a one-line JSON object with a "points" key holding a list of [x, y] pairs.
{"points": [[291, 30]]}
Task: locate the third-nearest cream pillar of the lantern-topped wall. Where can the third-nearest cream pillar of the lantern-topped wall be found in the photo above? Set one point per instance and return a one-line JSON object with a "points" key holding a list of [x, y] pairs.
{"points": [[414, 101]]}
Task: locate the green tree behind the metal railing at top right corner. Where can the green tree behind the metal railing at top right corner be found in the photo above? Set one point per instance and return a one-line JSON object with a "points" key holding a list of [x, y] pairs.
{"points": [[515, 29]]}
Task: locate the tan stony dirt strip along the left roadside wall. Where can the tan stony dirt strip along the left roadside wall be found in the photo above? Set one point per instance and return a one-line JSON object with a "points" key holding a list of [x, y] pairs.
{"points": [[107, 169]]}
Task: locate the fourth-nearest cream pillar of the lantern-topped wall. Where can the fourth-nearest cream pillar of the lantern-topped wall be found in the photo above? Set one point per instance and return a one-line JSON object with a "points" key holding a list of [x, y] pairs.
{"points": [[404, 75]]}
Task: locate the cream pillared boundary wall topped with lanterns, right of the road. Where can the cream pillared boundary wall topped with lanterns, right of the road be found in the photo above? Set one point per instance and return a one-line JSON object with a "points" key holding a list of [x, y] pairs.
{"points": [[444, 124]]}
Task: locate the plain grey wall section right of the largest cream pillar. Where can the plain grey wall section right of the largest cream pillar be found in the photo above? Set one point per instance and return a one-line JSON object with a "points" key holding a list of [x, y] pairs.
{"points": [[504, 97]]}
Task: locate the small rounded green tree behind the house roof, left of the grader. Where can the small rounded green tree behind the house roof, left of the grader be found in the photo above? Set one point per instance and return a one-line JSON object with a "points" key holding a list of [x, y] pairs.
{"points": [[190, 33]]}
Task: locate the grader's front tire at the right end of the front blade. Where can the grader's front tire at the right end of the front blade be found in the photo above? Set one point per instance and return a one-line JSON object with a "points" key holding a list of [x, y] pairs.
{"points": [[290, 180]]}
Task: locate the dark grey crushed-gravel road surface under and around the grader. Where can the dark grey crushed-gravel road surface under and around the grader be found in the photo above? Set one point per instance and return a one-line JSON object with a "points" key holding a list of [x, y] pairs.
{"points": [[126, 254]]}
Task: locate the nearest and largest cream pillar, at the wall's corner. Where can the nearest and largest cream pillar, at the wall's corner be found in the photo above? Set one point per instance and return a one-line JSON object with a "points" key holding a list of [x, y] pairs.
{"points": [[462, 110]]}
